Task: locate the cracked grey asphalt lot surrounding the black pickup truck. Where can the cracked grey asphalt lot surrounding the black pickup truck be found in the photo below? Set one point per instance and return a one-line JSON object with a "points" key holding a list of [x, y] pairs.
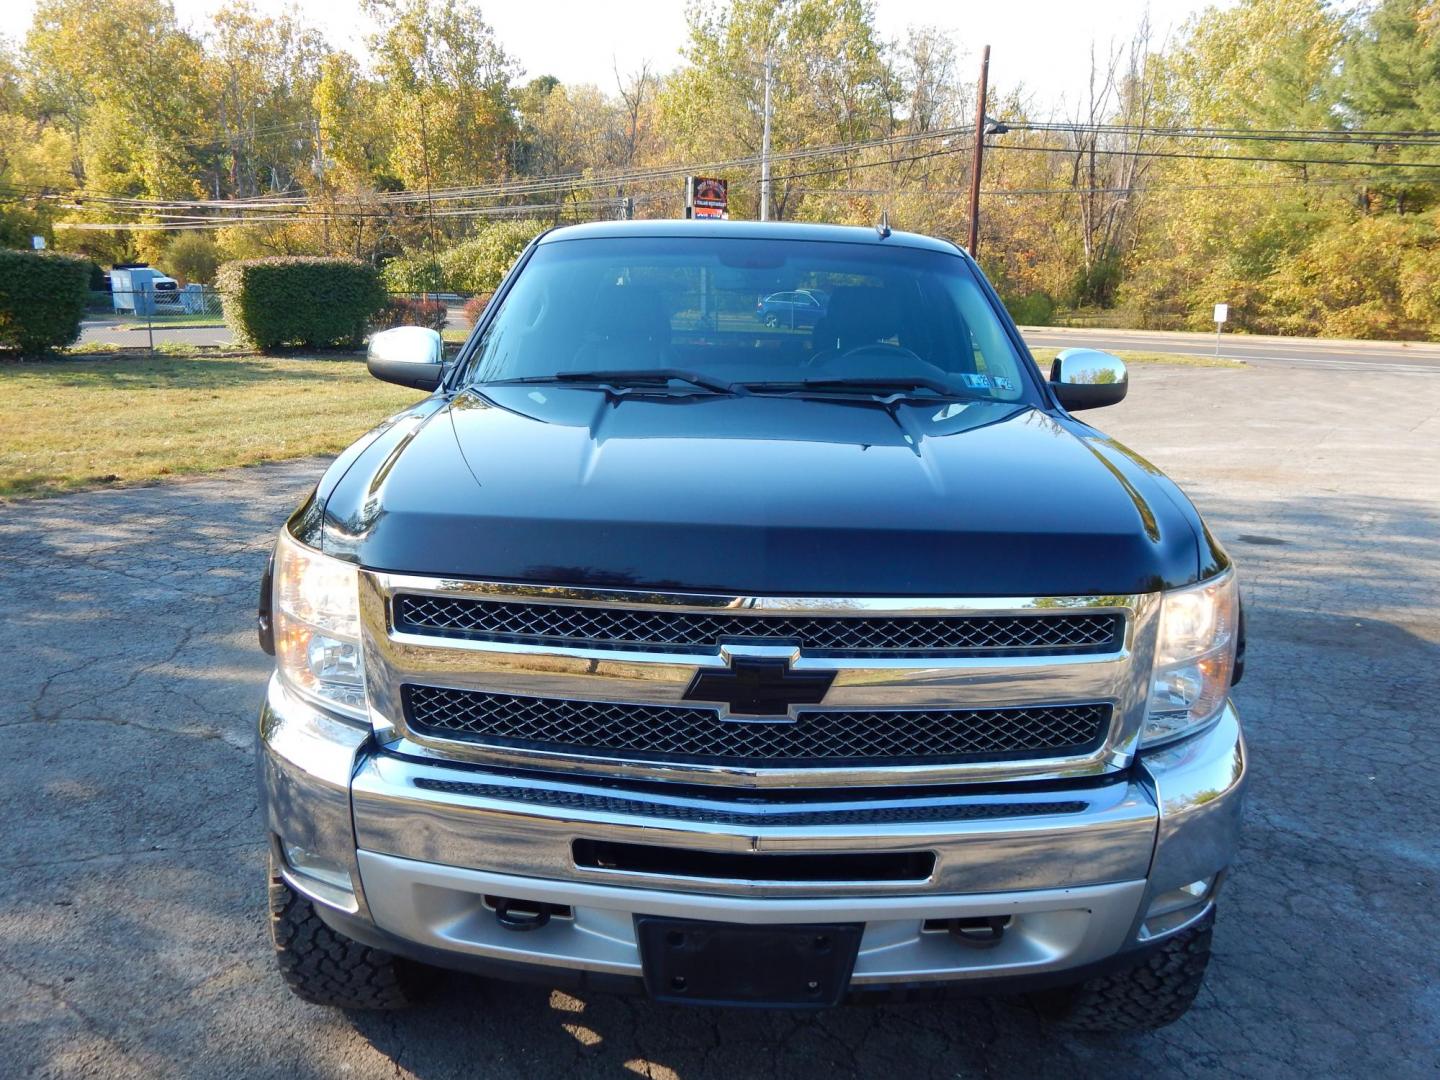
{"points": [[133, 941]]}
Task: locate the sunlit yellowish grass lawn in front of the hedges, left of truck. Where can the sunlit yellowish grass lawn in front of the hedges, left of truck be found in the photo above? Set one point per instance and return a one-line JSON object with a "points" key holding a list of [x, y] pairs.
{"points": [[77, 424]]}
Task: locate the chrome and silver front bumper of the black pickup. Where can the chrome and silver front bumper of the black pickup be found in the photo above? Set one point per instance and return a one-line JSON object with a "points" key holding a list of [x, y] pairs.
{"points": [[1078, 869]]}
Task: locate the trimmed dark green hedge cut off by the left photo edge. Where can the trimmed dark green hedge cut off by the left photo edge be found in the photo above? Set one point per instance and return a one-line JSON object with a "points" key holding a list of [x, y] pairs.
{"points": [[42, 300]]}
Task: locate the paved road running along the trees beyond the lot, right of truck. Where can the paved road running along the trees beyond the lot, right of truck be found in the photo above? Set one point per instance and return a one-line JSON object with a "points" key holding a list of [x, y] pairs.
{"points": [[1359, 356]]}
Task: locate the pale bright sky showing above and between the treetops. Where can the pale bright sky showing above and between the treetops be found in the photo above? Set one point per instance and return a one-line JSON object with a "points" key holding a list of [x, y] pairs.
{"points": [[1042, 45]]}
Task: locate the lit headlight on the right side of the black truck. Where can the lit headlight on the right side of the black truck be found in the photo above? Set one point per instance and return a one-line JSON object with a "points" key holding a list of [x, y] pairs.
{"points": [[1194, 659]]}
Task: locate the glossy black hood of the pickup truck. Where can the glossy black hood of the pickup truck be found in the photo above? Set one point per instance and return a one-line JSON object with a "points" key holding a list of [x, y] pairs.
{"points": [[761, 496]]}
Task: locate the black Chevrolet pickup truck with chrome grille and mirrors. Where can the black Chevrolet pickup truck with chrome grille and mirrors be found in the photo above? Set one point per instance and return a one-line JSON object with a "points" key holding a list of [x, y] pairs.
{"points": [[748, 669]]}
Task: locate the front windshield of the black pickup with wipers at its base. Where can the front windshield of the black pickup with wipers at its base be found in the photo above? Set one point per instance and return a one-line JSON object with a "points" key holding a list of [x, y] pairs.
{"points": [[758, 315]]}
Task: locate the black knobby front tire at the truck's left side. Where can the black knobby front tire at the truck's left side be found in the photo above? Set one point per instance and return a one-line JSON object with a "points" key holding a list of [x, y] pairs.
{"points": [[326, 968]]}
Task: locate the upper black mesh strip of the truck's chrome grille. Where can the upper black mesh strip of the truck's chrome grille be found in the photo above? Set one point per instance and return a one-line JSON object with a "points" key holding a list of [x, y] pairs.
{"points": [[1050, 633]]}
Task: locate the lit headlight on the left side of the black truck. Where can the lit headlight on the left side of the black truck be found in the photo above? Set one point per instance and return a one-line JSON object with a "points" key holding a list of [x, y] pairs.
{"points": [[318, 627]]}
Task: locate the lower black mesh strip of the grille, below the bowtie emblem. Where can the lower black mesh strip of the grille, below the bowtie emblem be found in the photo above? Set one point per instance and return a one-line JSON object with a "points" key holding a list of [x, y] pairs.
{"points": [[814, 739]]}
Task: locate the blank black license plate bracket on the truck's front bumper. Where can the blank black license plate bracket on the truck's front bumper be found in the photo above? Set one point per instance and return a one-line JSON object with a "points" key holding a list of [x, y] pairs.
{"points": [[729, 964]]}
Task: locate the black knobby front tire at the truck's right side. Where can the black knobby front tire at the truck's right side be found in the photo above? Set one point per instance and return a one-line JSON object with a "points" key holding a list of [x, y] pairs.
{"points": [[1151, 994]]}
